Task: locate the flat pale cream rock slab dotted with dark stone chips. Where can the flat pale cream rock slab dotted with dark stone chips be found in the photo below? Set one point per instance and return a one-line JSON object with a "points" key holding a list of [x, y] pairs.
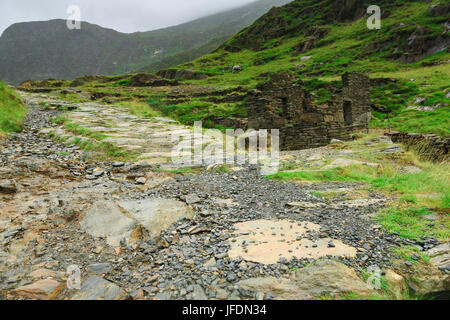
{"points": [[266, 241]]}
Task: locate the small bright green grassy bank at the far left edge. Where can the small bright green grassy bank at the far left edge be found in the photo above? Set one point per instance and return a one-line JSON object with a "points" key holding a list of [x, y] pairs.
{"points": [[12, 110]]}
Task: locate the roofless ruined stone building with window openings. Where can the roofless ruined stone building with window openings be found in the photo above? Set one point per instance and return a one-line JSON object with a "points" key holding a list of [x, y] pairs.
{"points": [[283, 104]]}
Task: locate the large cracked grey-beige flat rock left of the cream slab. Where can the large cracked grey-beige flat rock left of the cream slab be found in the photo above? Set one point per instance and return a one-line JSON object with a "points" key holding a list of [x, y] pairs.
{"points": [[115, 221]]}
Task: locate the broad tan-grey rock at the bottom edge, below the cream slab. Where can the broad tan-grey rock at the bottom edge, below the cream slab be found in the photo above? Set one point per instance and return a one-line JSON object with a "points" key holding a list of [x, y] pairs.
{"points": [[323, 278]]}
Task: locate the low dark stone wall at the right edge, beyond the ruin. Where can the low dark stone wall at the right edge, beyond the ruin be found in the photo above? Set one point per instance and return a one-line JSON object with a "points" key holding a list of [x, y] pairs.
{"points": [[428, 146]]}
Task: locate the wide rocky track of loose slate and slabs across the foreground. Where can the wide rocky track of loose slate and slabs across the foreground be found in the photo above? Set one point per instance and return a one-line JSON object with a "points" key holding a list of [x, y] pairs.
{"points": [[138, 233]]}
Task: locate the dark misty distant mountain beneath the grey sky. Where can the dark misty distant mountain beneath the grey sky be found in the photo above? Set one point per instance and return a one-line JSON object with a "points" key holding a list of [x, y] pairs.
{"points": [[42, 50]]}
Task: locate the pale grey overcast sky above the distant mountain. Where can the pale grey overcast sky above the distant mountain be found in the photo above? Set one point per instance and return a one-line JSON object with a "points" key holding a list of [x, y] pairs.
{"points": [[121, 15]]}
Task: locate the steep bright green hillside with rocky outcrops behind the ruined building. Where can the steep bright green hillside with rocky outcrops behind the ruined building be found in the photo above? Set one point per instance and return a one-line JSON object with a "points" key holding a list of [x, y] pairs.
{"points": [[319, 40]]}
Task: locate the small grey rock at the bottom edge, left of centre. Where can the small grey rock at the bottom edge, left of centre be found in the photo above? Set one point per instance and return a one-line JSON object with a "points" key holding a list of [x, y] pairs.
{"points": [[96, 288]]}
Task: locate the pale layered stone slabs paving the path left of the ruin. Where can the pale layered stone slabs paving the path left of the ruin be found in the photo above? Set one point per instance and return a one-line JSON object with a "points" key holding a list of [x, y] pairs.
{"points": [[150, 140]]}
